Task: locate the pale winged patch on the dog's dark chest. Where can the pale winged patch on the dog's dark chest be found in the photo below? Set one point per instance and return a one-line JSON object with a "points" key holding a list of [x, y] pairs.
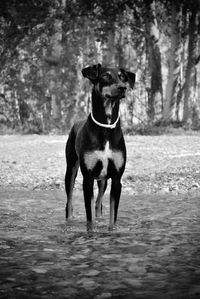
{"points": [[100, 159]]}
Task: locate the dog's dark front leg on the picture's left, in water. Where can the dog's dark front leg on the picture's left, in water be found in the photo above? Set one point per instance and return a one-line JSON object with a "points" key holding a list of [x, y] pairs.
{"points": [[88, 185]]}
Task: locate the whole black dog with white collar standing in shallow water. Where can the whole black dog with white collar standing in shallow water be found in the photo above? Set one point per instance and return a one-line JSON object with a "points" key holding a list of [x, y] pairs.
{"points": [[97, 144]]}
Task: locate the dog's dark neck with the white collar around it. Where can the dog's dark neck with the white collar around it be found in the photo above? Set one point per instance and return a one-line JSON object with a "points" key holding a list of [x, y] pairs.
{"points": [[98, 113]]}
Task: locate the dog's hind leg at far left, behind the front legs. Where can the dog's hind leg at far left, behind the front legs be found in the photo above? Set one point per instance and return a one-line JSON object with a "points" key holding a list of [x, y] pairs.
{"points": [[71, 172]]}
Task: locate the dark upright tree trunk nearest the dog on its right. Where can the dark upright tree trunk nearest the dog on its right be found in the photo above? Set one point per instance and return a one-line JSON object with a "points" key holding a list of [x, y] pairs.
{"points": [[155, 98]]}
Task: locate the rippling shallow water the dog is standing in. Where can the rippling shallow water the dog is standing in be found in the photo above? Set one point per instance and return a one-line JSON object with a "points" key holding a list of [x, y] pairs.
{"points": [[155, 252]]}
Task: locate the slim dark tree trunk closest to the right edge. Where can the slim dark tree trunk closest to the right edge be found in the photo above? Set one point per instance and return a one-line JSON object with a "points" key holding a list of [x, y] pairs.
{"points": [[190, 69]]}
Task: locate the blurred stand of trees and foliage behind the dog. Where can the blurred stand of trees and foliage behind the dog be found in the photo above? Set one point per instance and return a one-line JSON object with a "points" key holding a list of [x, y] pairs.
{"points": [[44, 44]]}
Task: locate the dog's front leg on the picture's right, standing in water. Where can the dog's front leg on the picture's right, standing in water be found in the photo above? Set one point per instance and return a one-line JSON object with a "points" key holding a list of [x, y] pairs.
{"points": [[114, 201]]}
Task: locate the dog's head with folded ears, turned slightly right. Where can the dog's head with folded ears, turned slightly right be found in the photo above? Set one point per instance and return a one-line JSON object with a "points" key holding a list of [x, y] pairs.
{"points": [[111, 83]]}
